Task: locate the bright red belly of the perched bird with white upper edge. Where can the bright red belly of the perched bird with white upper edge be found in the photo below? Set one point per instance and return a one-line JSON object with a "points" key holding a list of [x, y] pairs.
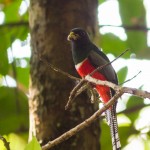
{"points": [[84, 68]]}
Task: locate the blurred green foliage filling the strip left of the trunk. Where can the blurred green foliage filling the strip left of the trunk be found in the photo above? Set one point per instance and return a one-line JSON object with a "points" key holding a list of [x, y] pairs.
{"points": [[13, 98]]}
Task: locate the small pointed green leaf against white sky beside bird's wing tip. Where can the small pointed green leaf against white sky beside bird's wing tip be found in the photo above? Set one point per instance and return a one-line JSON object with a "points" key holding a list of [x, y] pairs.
{"points": [[122, 73]]}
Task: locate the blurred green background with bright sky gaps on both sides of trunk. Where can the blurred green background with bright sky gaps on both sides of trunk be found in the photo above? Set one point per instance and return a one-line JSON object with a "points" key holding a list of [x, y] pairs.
{"points": [[122, 24]]}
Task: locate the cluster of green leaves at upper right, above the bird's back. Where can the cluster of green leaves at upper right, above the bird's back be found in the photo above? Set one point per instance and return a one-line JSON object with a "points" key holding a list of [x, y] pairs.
{"points": [[133, 18]]}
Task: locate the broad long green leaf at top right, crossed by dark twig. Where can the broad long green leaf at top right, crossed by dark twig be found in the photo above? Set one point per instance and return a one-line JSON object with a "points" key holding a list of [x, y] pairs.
{"points": [[136, 40]]}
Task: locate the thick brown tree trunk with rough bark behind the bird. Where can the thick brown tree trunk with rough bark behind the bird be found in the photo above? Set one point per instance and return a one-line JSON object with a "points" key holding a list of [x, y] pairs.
{"points": [[50, 23]]}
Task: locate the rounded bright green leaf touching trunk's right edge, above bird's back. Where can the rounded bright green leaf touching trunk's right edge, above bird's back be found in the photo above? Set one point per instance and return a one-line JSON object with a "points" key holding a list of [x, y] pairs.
{"points": [[112, 44]]}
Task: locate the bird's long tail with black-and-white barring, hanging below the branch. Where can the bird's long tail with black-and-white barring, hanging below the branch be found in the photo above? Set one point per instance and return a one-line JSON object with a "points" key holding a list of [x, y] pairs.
{"points": [[112, 122]]}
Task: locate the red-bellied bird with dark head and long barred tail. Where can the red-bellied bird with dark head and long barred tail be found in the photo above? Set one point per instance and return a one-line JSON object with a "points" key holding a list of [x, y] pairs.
{"points": [[87, 57]]}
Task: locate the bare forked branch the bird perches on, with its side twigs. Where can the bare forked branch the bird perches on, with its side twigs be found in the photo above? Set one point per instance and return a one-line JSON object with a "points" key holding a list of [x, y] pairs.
{"points": [[77, 90]]}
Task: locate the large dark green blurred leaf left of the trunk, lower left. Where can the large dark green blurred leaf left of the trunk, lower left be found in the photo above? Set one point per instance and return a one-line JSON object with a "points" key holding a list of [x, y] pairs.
{"points": [[13, 110]]}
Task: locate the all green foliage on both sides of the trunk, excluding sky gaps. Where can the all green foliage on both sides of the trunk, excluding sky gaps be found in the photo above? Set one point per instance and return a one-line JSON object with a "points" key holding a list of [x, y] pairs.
{"points": [[13, 100]]}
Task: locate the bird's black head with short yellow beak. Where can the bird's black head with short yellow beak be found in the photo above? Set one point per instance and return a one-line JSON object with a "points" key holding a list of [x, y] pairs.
{"points": [[78, 35]]}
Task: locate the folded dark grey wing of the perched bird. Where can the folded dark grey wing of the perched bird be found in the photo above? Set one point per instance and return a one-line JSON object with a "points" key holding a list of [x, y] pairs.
{"points": [[98, 58]]}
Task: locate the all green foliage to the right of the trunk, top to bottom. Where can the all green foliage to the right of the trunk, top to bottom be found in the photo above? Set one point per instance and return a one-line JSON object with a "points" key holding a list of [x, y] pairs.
{"points": [[133, 18]]}
